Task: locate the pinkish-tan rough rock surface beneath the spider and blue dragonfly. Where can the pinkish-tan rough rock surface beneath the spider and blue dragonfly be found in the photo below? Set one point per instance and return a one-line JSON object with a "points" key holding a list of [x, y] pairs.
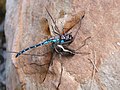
{"points": [[24, 27]]}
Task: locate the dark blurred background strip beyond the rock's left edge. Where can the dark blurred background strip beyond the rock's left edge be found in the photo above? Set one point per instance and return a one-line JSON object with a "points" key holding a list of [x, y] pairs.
{"points": [[2, 47]]}
